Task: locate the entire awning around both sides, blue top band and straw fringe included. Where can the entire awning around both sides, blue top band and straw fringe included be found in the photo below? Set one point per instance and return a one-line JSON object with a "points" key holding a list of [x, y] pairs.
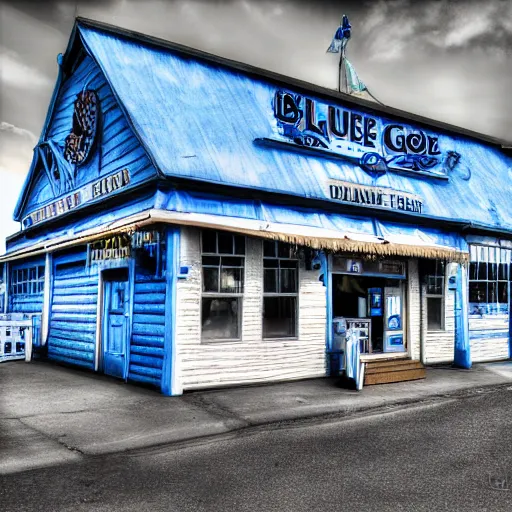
{"points": [[312, 228]]}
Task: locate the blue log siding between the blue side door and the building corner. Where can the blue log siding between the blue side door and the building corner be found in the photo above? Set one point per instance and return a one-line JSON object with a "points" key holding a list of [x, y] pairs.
{"points": [[147, 343]]}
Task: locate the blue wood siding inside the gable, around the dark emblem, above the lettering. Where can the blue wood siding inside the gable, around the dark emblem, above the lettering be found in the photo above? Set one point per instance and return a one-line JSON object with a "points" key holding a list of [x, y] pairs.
{"points": [[116, 146]]}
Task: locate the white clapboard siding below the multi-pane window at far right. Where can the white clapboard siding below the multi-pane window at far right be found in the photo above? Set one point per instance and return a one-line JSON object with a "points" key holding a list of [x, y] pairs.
{"points": [[489, 337]]}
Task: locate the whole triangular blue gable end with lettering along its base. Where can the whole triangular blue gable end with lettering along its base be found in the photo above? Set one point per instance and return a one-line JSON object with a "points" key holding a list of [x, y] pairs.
{"points": [[115, 145]]}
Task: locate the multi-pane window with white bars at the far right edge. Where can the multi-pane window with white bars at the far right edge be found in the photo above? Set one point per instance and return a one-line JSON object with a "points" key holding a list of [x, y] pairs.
{"points": [[489, 275]]}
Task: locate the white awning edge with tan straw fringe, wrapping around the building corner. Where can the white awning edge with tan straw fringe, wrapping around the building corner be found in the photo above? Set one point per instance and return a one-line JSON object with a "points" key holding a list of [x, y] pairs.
{"points": [[367, 246]]}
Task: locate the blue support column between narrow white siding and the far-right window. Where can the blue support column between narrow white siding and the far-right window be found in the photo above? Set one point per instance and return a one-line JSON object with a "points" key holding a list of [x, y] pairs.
{"points": [[462, 355]]}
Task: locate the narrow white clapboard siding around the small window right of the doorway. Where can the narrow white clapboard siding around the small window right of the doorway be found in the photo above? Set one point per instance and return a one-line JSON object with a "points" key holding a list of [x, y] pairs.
{"points": [[439, 346]]}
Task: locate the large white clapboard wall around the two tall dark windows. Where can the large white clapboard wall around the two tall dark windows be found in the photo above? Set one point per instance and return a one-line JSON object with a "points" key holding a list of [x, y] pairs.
{"points": [[252, 359]]}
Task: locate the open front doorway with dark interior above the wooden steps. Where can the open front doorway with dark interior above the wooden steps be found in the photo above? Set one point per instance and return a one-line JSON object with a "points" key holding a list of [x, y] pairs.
{"points": [[375, 307]]}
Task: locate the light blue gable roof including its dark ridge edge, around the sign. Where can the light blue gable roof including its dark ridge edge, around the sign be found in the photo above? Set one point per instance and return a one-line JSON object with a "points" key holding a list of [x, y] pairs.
{"points": [[167, 90]]}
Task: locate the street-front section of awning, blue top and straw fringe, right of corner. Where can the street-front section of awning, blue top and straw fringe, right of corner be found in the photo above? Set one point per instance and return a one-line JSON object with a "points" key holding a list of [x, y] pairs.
{"points": [[316, 229]]}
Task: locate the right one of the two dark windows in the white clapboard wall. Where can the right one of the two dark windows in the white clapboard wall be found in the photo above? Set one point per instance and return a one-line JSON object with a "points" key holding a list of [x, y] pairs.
{"points": [[280, 285]]}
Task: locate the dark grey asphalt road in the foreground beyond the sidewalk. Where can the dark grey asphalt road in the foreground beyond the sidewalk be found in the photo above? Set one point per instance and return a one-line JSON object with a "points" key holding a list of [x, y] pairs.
{"points": [[451, 454]]}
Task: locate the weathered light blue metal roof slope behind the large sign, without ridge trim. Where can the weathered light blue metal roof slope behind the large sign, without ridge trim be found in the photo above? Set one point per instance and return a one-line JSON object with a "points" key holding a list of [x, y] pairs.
{"points": [[201, 121]]}
